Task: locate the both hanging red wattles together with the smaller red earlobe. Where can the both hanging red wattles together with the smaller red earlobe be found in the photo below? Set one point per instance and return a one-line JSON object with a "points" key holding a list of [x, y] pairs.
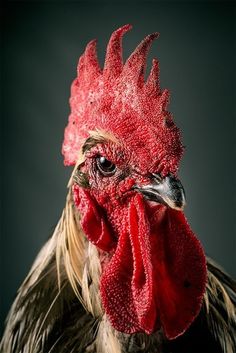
{"points": [[157, 274]]}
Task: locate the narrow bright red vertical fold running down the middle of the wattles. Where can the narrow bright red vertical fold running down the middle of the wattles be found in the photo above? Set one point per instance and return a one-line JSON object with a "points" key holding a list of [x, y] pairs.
{"points": [[142, 284]]}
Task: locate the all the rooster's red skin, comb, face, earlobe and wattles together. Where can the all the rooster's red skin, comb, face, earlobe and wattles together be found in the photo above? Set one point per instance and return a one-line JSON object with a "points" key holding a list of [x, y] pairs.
{"points": [[156, 273]]}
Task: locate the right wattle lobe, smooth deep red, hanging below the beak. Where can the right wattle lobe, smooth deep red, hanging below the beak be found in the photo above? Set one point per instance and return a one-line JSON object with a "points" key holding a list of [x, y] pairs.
{"points": [[179, 270]]}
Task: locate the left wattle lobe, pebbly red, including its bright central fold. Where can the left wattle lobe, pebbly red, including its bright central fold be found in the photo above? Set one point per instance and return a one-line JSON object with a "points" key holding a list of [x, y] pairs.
{"points": [[127, 283]]}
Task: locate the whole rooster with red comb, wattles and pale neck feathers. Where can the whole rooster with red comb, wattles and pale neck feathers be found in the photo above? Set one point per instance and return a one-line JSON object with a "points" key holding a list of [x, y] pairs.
{"points": [[123, 271]]}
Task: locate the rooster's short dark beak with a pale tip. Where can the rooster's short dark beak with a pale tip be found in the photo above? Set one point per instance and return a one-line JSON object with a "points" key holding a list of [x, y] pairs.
{"points": [[167, 191]]}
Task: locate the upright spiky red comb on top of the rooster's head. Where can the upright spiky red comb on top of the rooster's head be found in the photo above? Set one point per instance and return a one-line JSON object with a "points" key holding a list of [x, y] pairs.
{"points": [[118, 100]]}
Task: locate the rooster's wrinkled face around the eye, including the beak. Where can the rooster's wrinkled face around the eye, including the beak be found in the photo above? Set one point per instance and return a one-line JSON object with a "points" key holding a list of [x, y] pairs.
{"points": [[112, 178]]}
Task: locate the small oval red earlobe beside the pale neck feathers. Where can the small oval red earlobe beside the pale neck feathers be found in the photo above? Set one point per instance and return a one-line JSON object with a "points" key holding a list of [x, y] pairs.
{"points": [[93, 221]]}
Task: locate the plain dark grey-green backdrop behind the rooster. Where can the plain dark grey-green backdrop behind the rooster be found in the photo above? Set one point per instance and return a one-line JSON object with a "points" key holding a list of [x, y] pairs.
{"points": [[41, 44]]}
